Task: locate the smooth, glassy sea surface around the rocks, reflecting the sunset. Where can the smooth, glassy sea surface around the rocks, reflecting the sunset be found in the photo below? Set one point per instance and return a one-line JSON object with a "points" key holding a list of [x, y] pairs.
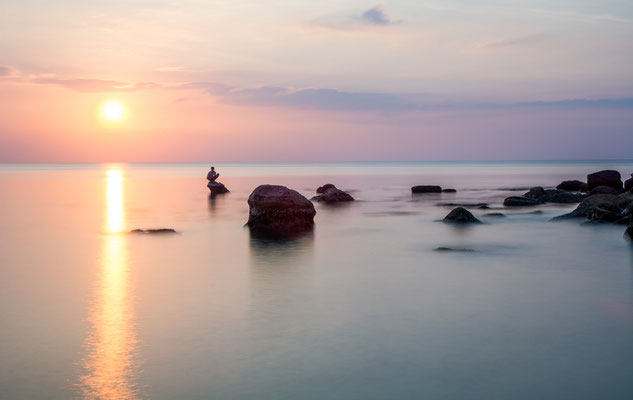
{"points": [[361, 309]]}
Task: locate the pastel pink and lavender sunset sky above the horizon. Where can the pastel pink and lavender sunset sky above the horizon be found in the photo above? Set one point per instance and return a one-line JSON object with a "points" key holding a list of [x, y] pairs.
{"points": [[205, 80]]}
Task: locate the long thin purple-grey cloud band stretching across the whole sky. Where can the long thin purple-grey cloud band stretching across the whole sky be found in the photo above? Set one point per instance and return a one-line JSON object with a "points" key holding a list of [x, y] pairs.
{"points": [[325, 99]]}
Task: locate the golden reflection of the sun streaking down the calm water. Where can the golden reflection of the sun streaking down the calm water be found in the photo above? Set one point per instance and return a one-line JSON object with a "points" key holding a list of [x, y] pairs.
{"points": [[109, 366]]}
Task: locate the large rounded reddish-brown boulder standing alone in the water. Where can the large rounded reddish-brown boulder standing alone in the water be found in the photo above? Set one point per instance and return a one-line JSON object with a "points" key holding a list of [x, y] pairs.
{"points": [[276, 211]]}
